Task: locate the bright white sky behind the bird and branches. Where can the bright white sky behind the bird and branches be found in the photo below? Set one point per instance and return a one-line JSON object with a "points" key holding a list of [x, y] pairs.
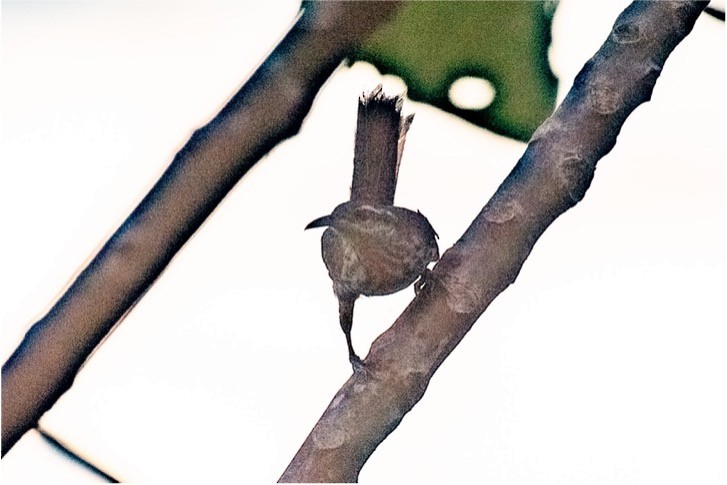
{"points": [[604, 361]]}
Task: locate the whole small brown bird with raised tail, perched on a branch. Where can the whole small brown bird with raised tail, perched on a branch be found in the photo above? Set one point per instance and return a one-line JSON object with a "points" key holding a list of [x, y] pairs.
{"points": [[372, 247]]}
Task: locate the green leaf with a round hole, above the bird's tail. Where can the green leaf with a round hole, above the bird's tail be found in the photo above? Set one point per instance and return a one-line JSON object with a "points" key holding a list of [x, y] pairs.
{"points": [[432, 44]]}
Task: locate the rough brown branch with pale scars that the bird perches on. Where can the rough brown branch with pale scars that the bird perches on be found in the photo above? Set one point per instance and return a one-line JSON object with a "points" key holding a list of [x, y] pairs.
{"points": [[551, 177]]}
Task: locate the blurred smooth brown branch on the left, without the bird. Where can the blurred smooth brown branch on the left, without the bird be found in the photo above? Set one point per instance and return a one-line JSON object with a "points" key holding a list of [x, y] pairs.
{"points": [[269, 108]]}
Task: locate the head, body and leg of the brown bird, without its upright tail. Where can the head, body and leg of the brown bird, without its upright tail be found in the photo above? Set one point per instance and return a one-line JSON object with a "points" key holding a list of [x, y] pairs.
{"points": [[373, 250]]}
